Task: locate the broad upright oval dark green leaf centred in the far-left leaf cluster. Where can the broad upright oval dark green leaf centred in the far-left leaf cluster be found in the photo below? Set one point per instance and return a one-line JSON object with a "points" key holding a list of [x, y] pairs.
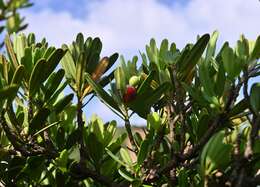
{"points": [[36, 78]]}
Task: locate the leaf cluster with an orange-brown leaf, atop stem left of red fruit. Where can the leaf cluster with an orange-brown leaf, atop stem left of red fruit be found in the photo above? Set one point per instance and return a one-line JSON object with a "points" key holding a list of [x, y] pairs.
{"points": [[84, 57]]}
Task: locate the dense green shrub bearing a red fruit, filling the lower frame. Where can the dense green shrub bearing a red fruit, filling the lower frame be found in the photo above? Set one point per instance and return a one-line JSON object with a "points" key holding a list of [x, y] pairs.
{"points": [[202, 114]]}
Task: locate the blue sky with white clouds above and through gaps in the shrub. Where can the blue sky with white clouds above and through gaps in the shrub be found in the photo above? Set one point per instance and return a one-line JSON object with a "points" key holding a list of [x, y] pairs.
{"points": [[125, 26]]}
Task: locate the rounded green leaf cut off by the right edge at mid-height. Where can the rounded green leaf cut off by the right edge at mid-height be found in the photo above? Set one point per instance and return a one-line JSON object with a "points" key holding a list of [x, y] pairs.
{"points": [[255, 97]]}
